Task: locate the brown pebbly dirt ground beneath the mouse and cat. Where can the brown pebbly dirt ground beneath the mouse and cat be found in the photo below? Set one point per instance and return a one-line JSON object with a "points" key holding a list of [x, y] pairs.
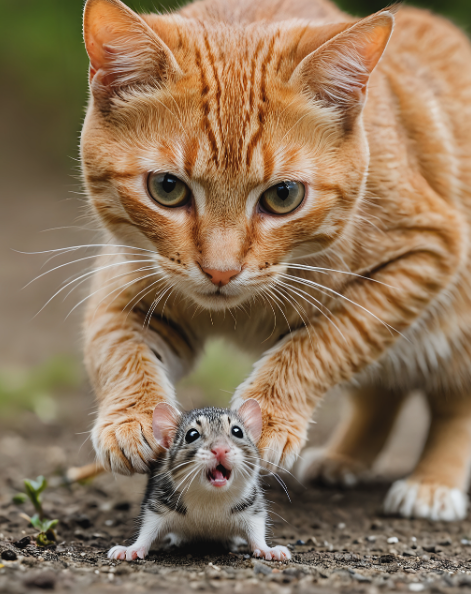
{"points": [[339, 539]]}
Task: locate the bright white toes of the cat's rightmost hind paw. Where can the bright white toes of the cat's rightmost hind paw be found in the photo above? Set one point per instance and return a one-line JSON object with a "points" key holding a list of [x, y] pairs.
{"points": [[415, 499]]}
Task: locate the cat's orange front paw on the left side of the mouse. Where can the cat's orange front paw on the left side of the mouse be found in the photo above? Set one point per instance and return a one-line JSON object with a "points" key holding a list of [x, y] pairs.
{"points": [[125, 444]]}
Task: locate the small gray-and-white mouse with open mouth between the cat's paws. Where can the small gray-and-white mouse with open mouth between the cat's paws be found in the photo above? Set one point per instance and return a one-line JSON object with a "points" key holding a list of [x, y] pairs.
{"points": [[207, 485]]}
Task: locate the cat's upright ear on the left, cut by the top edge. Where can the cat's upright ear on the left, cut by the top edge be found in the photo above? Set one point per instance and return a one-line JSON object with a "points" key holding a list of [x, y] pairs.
{"points": [[122, 48]]}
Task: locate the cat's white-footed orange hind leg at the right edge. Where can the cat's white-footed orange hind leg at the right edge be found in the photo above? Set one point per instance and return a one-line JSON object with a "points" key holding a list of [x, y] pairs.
{"points": [[437, 488]]}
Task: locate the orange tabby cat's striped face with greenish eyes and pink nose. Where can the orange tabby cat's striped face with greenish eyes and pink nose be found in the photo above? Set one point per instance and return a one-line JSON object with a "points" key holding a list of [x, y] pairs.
{"points": [[228, 166]]}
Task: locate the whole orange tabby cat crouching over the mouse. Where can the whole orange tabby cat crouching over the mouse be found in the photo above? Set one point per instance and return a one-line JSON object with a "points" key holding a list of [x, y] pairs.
{"points": [[299, 182]]}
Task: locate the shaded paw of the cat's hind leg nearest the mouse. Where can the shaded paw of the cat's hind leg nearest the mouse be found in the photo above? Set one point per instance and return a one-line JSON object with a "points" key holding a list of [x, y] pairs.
{"points": [[318, 465]]}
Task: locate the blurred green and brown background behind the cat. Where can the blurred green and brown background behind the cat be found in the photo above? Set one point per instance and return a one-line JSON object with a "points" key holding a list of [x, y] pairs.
{"points": [[43, 73]]}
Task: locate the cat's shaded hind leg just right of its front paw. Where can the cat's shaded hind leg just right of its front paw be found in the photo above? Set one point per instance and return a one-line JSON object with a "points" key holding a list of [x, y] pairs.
{"points": [[357, 442]]}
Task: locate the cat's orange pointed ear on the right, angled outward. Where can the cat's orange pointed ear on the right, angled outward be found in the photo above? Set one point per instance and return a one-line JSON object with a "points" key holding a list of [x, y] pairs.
{"points": [[337, 73]]}
